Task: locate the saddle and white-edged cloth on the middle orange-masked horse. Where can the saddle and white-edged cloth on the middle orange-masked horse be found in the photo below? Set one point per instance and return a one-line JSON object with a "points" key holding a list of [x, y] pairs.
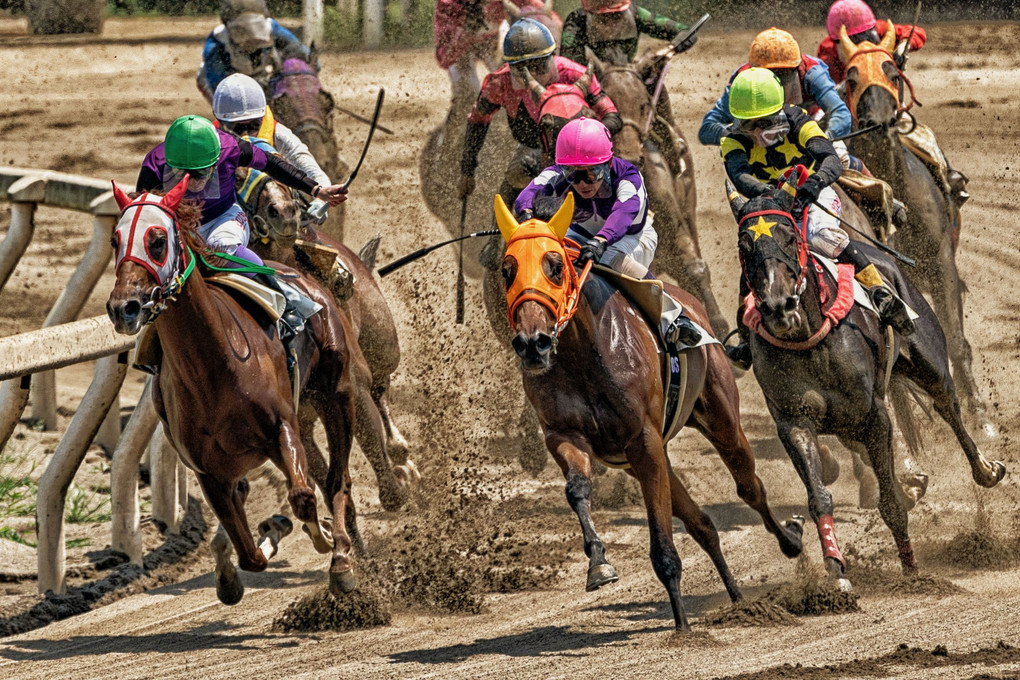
{"points": [[648, 296]]}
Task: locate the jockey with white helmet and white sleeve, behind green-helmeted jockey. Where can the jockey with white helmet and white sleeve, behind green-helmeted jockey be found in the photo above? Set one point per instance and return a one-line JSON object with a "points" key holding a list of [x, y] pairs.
{"points": [[240, 108]]}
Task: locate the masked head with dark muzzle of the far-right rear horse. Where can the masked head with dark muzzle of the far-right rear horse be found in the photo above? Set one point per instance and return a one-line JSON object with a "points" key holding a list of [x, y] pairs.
{"points": [[875, 83]]}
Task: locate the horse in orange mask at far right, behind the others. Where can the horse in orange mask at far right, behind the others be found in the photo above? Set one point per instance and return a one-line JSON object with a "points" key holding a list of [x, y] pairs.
{"points": [[875, 87]]}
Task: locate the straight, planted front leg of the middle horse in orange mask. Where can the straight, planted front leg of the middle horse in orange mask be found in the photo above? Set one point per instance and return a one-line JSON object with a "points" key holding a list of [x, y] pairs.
{"points": [[652, 470]]}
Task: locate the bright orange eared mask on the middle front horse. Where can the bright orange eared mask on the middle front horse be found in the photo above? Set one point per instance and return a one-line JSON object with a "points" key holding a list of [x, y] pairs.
{"points": [[538, 266]]}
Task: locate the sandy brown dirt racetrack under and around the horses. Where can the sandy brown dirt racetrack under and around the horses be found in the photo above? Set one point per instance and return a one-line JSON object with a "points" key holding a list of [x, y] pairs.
{"points": [[96, 107]]}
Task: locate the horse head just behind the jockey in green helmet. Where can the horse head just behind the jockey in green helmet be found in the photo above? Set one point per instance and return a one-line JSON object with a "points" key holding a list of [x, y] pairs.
{"points": [[274, 214]]}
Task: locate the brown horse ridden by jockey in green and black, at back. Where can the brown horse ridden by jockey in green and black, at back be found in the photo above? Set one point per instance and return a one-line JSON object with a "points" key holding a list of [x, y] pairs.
{"points": [[673, 199]]}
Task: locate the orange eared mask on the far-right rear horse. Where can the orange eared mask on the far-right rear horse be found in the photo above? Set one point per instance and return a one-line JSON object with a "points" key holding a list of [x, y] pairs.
{"points": [[873, 66]]}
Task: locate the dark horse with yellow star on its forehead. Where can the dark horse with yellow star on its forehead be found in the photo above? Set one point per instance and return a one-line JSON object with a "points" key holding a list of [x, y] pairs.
{"points": [[824, 371]]}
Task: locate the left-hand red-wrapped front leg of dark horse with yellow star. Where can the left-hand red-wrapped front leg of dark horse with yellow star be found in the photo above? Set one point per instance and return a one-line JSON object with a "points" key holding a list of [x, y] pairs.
{"points": [[799, 438]]}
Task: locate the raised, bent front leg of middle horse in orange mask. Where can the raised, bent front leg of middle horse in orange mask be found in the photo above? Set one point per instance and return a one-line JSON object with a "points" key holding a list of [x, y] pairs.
{"points": [[577, 466]]}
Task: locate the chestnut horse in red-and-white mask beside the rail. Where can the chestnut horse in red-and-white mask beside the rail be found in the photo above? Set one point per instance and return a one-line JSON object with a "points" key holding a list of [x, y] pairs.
{"points": [[224, 391]]}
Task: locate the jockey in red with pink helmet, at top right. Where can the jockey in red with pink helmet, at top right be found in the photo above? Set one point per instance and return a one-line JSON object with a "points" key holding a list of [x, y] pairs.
{"points": [[861, 27]]}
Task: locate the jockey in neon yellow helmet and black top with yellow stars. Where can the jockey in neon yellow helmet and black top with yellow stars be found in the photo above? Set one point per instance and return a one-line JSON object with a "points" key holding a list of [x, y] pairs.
{"points": [[769, 139]]}
